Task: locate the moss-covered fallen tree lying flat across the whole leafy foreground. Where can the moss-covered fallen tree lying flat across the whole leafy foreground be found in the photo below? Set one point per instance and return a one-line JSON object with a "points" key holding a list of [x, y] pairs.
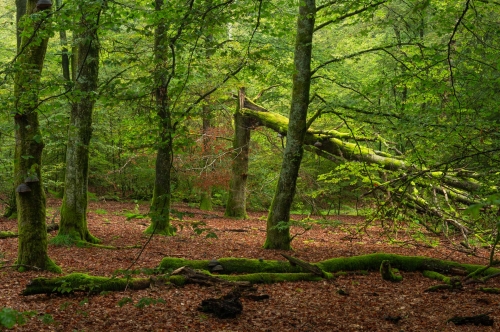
{"points": [[180, 271]]}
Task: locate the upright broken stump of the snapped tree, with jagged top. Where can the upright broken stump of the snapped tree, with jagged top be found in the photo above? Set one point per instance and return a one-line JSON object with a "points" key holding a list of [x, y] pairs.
{"points": [[236, 202]]}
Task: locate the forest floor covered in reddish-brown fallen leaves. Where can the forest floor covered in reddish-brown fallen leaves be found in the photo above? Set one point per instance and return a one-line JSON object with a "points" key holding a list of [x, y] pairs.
{"points": [[298, 306]]}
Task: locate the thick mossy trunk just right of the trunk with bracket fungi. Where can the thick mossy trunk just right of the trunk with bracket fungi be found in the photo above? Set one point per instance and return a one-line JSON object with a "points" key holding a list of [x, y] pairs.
{"points": [[74, 207]]}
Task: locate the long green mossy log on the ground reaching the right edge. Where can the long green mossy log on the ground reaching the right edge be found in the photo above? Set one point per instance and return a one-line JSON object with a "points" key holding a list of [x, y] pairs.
{"points": [[369, 262]]}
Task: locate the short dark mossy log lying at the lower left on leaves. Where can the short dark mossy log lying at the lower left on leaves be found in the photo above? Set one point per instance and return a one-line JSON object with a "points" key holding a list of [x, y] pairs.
{"points": [[80, 282]]}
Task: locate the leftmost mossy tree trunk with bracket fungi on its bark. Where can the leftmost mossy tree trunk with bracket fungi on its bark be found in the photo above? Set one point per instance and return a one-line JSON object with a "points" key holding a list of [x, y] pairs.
{"points": [[30, 195]]}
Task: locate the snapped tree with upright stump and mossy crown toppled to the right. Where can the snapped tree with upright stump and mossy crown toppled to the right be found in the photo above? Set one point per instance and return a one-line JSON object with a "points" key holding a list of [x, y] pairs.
{"points": [[438, 192]]}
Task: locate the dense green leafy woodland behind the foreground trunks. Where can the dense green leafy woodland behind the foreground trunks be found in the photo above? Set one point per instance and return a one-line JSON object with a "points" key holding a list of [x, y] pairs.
{"points": [[416, 79]]}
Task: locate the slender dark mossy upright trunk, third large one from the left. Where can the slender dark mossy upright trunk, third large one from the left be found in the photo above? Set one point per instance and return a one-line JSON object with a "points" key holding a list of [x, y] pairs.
{"points": [[160, 205]]}
